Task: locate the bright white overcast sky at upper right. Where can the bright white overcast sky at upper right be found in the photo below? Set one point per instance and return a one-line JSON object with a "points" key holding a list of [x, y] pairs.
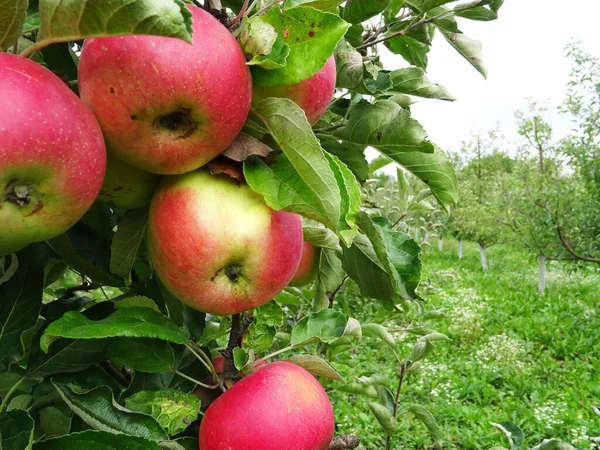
{"points": [[524, 53]]}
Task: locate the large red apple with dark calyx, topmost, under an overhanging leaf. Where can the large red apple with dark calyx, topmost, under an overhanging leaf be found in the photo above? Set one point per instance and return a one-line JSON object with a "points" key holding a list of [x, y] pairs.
{"points": [[164, 105]]}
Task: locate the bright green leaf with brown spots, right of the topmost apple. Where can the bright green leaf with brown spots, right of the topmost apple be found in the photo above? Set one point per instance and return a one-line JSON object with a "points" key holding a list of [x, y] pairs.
{"points": [[311, 35]]}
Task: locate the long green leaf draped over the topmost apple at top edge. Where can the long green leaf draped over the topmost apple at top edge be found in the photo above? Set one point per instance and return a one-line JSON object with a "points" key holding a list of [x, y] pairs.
{"points": [[74, 20]]}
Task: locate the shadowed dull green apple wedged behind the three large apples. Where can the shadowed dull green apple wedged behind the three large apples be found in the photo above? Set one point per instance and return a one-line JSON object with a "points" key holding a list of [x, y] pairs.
{"points": [[126, 186]]}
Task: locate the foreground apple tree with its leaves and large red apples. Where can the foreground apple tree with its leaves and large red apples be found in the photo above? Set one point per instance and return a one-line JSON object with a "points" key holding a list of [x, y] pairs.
{"points": [[234, 133]]}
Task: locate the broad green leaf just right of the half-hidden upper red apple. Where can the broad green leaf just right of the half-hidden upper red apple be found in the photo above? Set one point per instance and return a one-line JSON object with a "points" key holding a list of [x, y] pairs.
{"points": [[387, 127]]}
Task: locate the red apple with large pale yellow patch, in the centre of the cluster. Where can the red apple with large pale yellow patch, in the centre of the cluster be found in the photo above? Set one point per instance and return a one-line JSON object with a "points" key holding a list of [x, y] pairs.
{"points": [[217, 246]]}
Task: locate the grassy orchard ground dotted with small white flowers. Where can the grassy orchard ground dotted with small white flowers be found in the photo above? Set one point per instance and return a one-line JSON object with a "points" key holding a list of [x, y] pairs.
{"points": [[513, 356]]}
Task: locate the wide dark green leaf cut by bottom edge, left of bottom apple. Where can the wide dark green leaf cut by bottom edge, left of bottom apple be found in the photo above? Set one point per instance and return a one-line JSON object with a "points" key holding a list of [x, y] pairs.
{"points": [[96, 440]]}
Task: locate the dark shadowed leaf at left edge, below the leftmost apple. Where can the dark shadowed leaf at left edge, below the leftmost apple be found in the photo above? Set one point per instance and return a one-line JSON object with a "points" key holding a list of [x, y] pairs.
{"points": [[20, 302]]}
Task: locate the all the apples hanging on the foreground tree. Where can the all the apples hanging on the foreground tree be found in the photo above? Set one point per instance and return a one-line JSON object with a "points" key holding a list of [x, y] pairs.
{"points": [[152, 112]]}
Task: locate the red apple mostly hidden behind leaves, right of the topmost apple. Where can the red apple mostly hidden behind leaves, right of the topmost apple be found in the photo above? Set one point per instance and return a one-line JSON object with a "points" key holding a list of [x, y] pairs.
{"points": [[312, 95]]}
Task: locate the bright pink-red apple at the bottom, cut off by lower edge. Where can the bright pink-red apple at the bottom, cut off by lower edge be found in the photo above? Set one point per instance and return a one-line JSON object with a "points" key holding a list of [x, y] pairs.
{"points": [[280, 406]]}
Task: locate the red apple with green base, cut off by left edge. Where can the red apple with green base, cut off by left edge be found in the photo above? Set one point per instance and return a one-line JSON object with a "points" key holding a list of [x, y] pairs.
{"points": [[52, 155]]}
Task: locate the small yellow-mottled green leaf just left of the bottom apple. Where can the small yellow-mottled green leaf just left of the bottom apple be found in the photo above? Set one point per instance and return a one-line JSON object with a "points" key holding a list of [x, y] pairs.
{"points": [[173, 410]]}
